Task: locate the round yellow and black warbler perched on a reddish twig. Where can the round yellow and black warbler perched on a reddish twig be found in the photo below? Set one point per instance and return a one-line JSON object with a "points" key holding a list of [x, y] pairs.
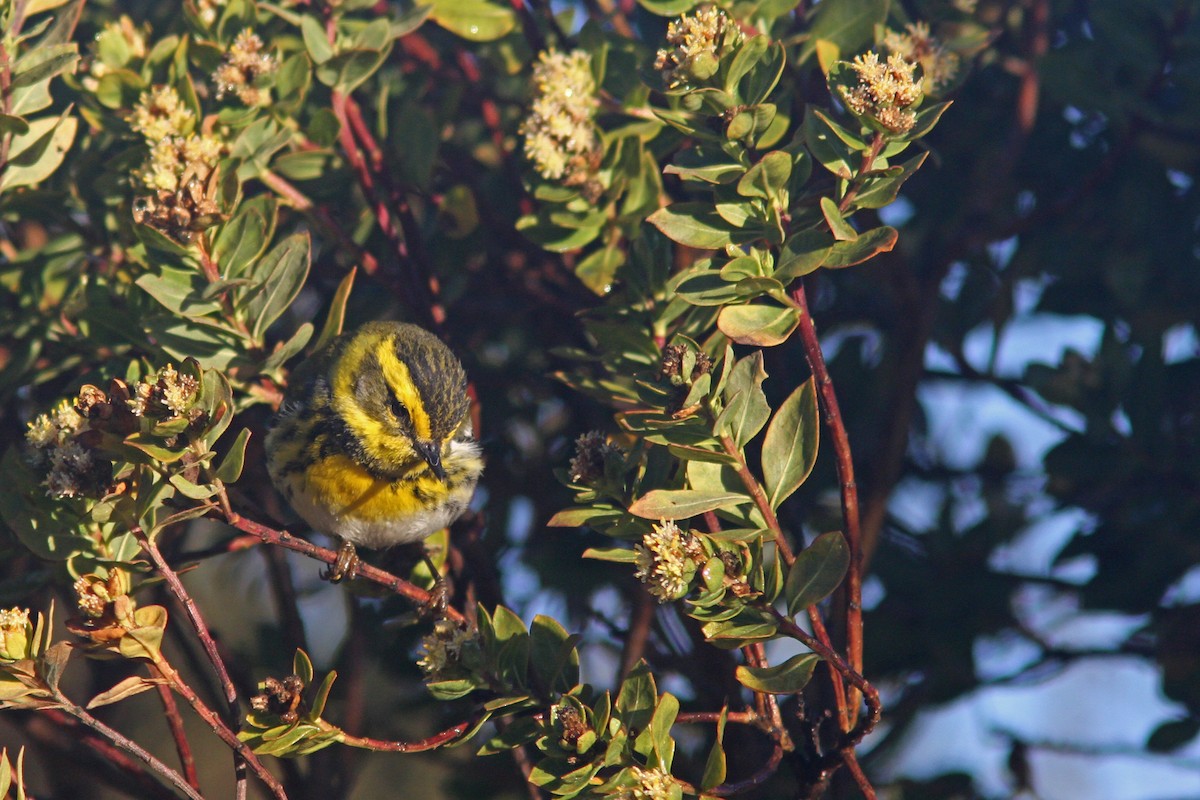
{"points": [[374, 442]]}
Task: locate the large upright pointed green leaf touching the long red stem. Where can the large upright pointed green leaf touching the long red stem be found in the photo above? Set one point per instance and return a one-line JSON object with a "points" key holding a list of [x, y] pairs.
{"points": [[790, 448]]}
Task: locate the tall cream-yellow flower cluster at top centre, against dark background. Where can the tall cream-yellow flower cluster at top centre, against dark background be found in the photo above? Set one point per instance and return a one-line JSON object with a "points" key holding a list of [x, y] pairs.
{"points": [[561, 134]]}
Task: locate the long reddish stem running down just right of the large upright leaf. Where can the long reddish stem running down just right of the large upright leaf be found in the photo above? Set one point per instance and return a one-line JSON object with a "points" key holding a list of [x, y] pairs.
{"points": [[849, 489]]}
